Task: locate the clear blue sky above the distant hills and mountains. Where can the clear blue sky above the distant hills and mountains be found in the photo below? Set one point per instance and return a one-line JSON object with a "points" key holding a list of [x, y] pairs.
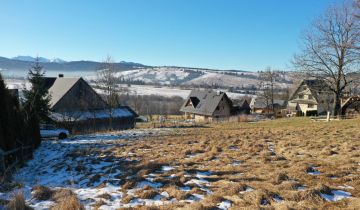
{"points": [[222, 34]]}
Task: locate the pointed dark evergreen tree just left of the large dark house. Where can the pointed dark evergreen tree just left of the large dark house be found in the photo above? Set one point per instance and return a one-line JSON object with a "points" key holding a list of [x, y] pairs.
{"points": [[36, 101]]}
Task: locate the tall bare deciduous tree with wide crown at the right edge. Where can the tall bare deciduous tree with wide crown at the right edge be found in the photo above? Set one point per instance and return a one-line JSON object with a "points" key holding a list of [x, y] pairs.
{"points": [[331, 50]]}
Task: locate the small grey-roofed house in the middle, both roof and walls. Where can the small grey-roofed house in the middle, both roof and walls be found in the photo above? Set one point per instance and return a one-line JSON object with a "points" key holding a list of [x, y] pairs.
{"points": [[207, 105]]}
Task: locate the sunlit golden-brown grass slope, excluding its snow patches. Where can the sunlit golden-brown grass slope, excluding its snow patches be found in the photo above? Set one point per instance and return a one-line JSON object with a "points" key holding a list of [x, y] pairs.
{"points": [[298, 144]]}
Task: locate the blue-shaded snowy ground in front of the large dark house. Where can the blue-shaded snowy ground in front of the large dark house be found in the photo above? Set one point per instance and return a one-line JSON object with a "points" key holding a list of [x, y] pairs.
{"points": [[79, 163]]}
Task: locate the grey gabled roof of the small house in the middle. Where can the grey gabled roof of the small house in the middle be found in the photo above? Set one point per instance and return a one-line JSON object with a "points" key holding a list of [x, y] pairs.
{"points": [[204, 102]]}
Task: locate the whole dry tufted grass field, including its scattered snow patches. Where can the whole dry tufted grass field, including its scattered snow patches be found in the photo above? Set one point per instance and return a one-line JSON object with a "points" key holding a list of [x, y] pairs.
{"points": [[282, 164]]}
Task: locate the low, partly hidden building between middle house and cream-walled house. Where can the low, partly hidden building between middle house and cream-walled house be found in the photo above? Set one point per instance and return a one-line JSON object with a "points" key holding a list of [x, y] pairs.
{"points": [[260, 105]]}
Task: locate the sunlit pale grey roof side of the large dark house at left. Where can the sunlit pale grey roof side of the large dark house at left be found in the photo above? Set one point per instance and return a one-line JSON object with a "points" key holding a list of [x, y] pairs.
{"points": [[60, 87]]}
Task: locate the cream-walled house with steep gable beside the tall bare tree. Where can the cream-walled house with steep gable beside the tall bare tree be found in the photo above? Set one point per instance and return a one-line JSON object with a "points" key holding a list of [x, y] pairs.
{"points": [[312, 97]]}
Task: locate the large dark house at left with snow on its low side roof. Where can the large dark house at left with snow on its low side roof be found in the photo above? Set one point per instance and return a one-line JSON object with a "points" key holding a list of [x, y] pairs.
{"points": [[76, 106]]}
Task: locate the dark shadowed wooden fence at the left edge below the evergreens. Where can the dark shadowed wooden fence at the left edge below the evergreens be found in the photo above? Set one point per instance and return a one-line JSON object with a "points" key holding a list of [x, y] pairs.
{"points": [[12, 158]]}
